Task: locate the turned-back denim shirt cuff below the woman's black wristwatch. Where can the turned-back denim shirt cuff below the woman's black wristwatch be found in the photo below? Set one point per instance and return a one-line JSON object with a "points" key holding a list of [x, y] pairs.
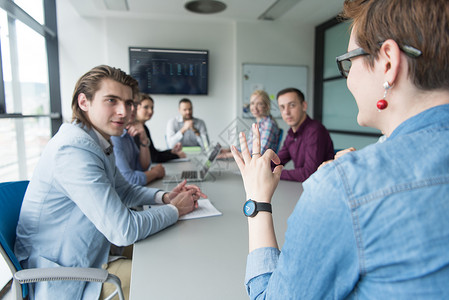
{"points": [[261, 261]]}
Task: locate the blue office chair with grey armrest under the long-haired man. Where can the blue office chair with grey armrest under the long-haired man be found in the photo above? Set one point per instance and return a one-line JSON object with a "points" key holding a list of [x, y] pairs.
{"points": [[11, 197]]}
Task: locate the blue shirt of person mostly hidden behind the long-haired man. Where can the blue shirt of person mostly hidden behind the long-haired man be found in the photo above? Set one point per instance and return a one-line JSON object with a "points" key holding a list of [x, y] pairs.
{"points": [[127, 159]]}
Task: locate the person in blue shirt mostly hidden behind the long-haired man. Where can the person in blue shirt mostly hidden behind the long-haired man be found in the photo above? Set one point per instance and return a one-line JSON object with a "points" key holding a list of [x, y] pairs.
{"points": [[134, 160]]}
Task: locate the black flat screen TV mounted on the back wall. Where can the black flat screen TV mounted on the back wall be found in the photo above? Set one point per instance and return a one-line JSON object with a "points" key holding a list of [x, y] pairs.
{"points": [[170, 71]]}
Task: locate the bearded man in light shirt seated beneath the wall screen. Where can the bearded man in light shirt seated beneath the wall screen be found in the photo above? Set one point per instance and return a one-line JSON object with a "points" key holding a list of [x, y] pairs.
{"points": [[185, 128]]}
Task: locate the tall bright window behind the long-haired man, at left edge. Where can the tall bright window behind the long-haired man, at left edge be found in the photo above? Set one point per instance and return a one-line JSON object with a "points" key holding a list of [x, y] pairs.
{"points": [[30, 105]]}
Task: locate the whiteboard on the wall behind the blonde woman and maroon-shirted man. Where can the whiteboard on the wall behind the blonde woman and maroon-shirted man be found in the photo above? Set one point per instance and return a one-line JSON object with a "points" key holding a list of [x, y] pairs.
{"points": [[272, 79]]}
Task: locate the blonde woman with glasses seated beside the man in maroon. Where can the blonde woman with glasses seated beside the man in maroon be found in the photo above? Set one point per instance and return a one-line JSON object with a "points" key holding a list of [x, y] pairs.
{"points": [[260, 107]]}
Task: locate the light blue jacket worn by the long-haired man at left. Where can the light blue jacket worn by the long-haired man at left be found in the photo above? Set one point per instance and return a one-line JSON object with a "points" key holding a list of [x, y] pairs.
{"points": [[76, 205]]}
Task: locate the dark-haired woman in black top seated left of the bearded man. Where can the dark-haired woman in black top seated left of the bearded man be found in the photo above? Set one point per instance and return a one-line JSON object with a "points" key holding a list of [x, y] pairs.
{"points": [[145, 105]]}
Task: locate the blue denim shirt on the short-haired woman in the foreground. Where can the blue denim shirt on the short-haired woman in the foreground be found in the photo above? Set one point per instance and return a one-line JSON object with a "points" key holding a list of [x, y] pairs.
{"points": [[373, 224]]}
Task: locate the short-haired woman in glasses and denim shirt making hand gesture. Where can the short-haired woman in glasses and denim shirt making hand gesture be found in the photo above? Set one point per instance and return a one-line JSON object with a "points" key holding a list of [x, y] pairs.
{"points": [[374, 222]]}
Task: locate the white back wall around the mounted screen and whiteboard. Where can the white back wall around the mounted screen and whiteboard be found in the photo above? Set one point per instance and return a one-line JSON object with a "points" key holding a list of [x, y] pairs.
{"points": [[87, 42]]}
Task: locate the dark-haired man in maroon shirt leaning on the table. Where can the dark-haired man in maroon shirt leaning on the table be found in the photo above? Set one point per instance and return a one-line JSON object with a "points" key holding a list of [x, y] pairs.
{"points": [[307, 143]]}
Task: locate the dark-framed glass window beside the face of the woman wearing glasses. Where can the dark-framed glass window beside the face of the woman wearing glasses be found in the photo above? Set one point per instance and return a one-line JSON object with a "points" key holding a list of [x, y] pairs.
{"points": [[334, 105]]}
